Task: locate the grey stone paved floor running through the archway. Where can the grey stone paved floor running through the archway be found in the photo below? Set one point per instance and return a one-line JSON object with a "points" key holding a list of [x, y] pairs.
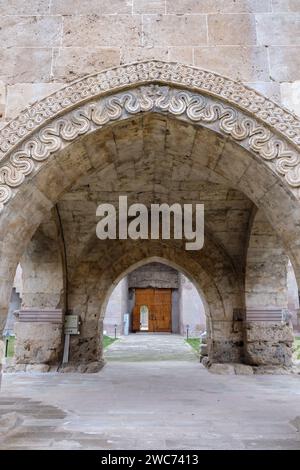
{"points": [[149, 404]]}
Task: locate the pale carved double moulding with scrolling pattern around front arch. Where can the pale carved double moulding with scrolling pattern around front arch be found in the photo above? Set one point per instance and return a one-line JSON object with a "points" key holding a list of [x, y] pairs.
{"points": [[270, 131]]}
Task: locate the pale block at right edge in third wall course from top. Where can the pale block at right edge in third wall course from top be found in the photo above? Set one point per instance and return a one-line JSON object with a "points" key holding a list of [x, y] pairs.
{"points": [[284, 63]]}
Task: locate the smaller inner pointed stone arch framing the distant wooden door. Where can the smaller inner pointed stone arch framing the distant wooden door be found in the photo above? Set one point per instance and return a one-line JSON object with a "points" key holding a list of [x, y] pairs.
{"points": [[97, 277]]}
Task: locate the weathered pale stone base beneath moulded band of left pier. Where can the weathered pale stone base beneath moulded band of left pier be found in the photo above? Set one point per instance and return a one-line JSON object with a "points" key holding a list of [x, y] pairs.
{"points": [[37, 343]]}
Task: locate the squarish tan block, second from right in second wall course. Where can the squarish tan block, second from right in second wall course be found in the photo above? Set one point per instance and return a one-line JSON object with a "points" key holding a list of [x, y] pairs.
{"points": [[231, 30]]}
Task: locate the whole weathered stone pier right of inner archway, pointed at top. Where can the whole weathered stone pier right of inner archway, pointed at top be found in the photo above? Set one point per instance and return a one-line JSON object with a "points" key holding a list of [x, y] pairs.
{"points": [[268, 336]]}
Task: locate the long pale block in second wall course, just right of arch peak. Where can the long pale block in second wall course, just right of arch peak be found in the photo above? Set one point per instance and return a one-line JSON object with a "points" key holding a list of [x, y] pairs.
{"points": [[172, 30]]}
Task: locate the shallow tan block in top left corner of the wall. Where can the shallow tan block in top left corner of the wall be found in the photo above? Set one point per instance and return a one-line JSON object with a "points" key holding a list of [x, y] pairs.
{"points": [[21, 7]]}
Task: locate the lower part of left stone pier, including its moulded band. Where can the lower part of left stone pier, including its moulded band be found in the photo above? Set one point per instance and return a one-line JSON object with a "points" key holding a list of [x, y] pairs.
{"points": [[38, 343]]}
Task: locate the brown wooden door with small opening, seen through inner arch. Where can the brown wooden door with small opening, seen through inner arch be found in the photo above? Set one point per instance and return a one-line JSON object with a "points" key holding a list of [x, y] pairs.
{"points": [[159, 307]]}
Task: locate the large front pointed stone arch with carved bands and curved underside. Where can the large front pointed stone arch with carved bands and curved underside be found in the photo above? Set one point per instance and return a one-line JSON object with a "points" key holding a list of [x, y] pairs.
{"points": [[44, 151]]}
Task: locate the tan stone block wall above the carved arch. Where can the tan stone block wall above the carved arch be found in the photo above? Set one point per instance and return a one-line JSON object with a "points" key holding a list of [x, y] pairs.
{"points": [[46, 43]]}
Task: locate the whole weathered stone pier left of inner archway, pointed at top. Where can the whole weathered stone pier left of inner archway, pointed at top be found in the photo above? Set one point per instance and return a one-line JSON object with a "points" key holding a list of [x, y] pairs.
{"points": [[39, 327]]}
